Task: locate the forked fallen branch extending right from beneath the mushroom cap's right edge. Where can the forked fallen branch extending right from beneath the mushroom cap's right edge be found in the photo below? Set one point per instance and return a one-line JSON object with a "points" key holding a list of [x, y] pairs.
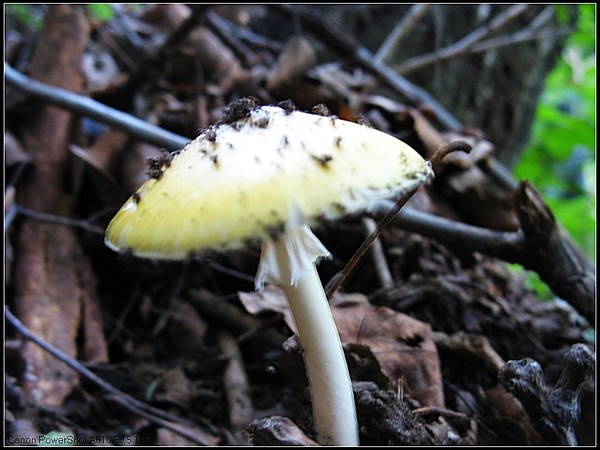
{"points": [[539, 246]]}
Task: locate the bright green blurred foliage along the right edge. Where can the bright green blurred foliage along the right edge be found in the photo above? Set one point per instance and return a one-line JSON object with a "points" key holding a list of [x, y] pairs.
{"points": [[560, 158]]}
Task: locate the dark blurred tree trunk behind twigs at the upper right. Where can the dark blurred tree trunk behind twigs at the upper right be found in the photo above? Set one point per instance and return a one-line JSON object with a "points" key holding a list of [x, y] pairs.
{"points": [[494, 89]]}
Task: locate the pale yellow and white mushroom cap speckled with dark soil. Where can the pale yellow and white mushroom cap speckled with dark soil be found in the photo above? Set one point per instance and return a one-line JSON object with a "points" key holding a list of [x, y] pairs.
{"points": [[251, 179]]}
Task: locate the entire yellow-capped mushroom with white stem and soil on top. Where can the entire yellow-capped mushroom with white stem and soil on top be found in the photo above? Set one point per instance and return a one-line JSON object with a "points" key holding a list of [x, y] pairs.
{"points": [[267, 174]]}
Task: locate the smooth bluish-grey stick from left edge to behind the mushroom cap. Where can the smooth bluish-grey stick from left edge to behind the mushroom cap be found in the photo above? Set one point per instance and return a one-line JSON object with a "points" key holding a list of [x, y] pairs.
{"points": [[88, 107]]}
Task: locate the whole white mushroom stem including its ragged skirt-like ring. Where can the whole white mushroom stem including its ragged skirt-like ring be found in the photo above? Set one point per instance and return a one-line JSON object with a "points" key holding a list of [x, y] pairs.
{"points": [[289, 261]]}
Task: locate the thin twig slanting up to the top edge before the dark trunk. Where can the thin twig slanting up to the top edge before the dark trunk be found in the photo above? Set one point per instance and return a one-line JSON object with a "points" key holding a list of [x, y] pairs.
{"points": [[464, 45]]}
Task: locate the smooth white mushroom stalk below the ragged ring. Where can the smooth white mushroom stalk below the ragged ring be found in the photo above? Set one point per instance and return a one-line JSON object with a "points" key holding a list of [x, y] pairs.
{"points": [[328, 377]]}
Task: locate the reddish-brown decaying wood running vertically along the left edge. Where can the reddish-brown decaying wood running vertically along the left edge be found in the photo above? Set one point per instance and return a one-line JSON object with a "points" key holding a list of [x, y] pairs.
{"points": [[54, 281]]}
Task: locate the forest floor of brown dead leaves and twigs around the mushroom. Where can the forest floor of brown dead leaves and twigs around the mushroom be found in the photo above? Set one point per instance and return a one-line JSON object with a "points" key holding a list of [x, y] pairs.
{"points": [[446, 343]]}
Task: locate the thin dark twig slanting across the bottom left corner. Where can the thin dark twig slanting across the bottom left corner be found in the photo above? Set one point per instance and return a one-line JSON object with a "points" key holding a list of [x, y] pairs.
{"points": [[168, 420]]}
